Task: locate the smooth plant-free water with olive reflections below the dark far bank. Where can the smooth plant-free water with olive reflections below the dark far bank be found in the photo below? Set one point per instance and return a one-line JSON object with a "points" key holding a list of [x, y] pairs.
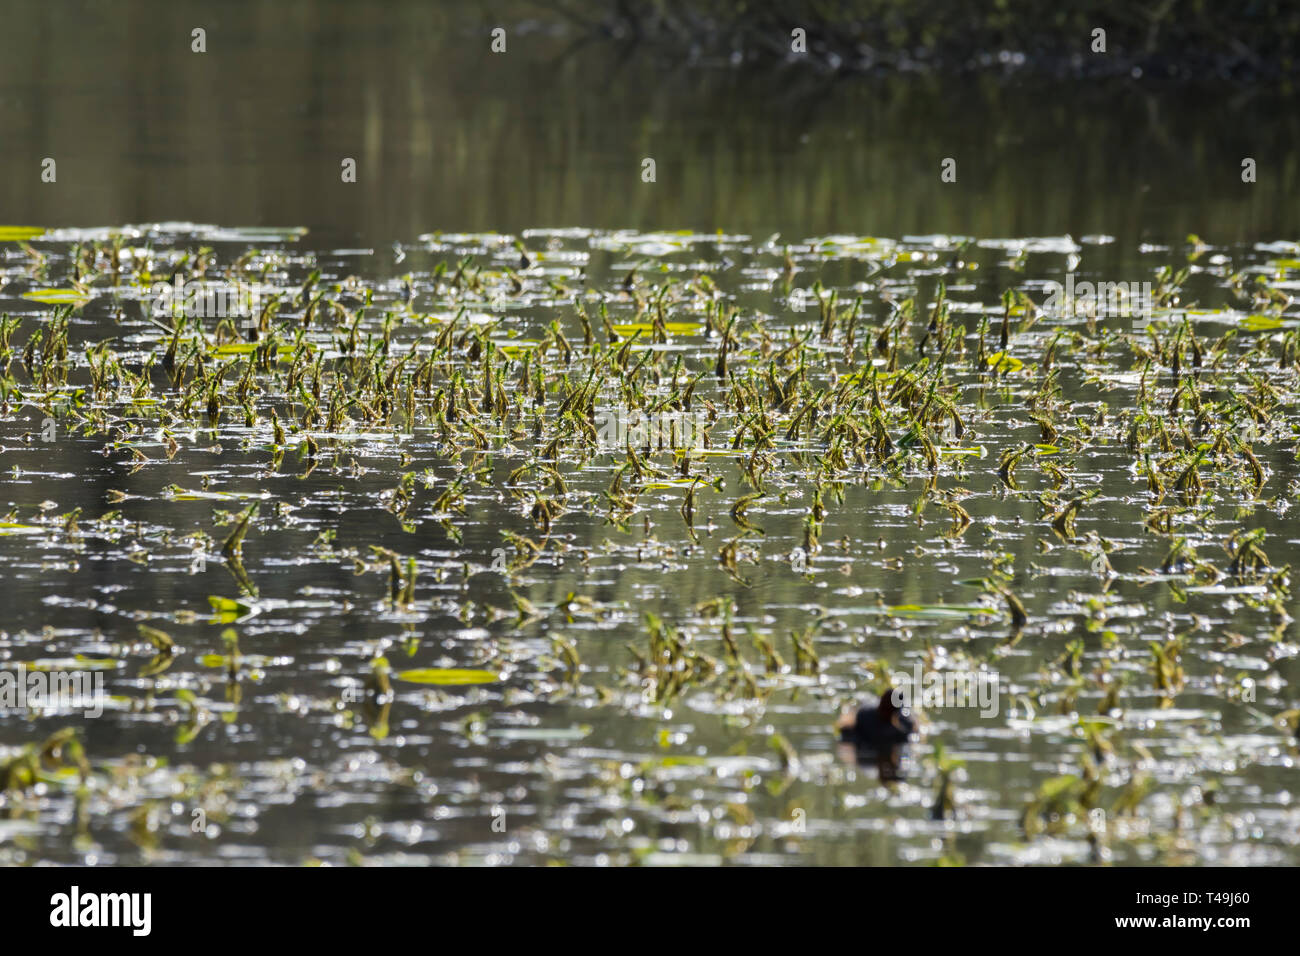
{"points": [[450, 137]]}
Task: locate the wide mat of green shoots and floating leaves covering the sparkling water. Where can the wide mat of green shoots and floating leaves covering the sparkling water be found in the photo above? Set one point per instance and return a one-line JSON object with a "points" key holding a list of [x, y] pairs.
{"points": [[640, 651]]}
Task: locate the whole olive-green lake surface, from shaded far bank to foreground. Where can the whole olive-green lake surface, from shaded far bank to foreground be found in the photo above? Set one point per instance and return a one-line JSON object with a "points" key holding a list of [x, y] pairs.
{"points": [[588, 749]]}
